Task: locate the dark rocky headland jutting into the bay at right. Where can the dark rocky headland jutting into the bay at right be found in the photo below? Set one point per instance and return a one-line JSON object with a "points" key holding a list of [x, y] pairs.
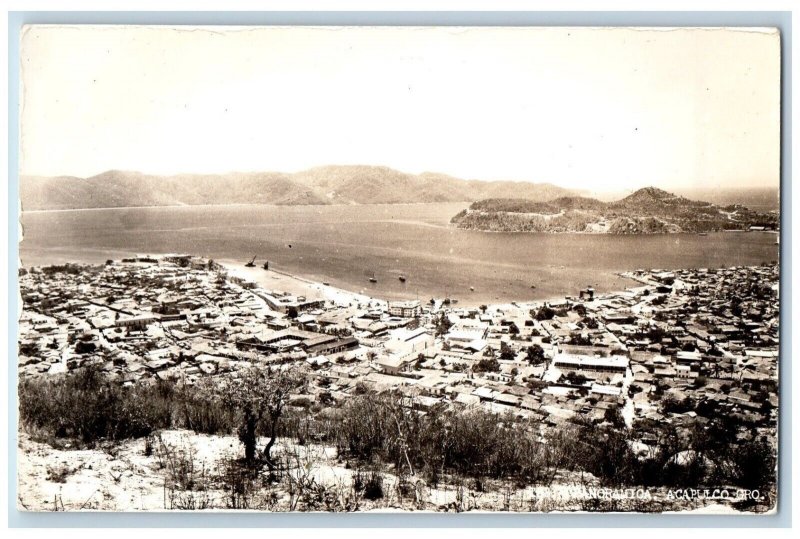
{"points": [[647, 211]]}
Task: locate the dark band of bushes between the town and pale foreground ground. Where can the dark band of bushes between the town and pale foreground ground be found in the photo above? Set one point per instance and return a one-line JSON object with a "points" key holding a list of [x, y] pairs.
{"points": [[383, 430]]}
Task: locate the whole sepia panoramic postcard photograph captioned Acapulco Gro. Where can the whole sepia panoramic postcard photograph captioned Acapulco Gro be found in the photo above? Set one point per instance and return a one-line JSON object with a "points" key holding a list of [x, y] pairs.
{"points": [[399, 269]]}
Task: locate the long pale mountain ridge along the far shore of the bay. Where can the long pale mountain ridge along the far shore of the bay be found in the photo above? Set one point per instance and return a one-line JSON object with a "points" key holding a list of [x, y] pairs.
{"points": [[322, 185]]}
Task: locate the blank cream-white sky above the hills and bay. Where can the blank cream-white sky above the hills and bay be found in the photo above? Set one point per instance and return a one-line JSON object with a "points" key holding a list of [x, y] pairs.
{"points": [[588, 108]]}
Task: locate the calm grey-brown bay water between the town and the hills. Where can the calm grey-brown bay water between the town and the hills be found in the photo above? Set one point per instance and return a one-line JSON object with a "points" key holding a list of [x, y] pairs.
{"points": [[346, 245]]}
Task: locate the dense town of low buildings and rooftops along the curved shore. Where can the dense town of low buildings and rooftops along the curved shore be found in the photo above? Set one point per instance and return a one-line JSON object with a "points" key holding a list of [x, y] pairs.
{"points": [[672, 348]]}
